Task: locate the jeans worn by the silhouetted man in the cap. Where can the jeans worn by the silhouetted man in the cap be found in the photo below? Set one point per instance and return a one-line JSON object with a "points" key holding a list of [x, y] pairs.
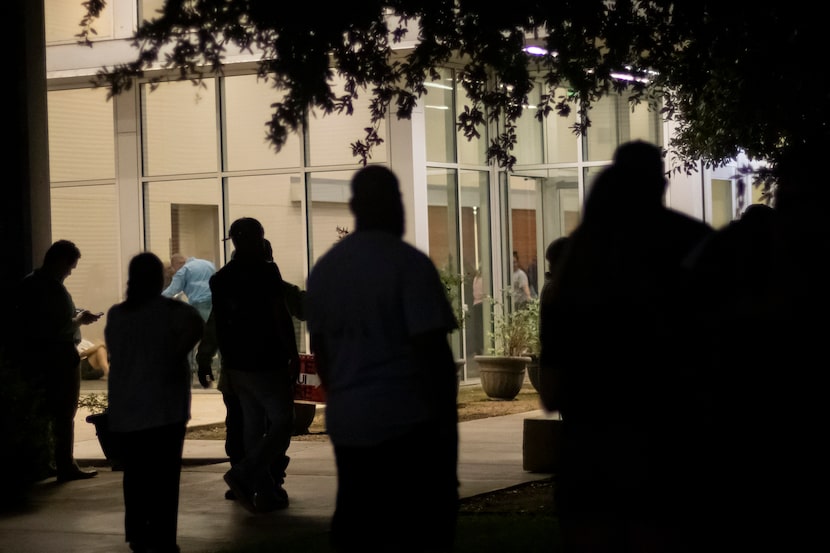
{"points": [[267, 402]]}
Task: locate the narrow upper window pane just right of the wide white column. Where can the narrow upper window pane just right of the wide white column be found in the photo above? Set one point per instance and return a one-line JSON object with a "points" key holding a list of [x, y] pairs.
{"points": [[439, 114]]}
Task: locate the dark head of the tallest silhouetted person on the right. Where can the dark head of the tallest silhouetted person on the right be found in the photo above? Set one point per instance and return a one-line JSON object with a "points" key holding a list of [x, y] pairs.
{"points": [[641, 163]]}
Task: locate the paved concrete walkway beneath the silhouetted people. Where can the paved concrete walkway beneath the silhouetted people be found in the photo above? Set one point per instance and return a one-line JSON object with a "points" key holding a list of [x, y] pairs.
{"points": [[86, 516]]}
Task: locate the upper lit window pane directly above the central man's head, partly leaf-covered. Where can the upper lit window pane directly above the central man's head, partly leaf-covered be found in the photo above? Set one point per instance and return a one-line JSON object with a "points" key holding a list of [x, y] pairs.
{"points": [[330, 136]]}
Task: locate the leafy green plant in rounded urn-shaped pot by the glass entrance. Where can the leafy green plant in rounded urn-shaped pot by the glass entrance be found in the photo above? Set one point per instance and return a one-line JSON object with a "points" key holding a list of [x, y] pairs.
{"points": [[514, 339]]}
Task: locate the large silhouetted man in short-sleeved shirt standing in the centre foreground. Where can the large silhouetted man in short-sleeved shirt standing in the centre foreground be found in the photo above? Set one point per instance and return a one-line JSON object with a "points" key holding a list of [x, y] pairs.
{"points": [[379, 321]]}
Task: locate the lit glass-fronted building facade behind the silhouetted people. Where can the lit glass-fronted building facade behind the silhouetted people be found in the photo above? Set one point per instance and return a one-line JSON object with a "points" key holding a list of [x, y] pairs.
{"points": [[168, 168]]}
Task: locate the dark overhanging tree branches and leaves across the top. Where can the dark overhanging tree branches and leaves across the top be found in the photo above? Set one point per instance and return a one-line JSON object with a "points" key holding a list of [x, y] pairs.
{"points": [[733, 76]]}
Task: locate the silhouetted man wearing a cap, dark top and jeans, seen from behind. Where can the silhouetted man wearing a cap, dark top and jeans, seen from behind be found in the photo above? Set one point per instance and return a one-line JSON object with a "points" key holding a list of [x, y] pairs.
{"points": [[256, 340]]}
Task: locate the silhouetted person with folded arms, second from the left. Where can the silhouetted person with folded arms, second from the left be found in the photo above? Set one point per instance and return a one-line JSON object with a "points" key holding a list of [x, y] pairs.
{"points": [[149, 338]]}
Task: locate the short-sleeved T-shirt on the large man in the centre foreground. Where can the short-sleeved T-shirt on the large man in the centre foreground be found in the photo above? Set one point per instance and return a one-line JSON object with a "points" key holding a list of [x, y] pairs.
{"points": [[368, 296]]}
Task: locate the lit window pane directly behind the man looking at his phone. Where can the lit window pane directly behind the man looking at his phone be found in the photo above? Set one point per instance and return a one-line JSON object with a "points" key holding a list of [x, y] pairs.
{"points": [[88, 216]]}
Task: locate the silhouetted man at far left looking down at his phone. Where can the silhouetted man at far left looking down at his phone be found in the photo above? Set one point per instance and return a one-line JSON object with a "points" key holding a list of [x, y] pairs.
{"points": [[48, 327]]}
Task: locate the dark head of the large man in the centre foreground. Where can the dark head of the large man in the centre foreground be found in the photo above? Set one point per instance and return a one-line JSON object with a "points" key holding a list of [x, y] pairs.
{"points": [[376, 200]]}
